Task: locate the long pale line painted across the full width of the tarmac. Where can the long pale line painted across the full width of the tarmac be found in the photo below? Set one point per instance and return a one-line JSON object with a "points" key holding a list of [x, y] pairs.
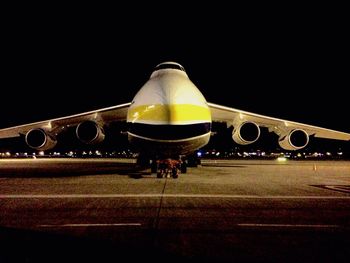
{"points": [[65, 196]]}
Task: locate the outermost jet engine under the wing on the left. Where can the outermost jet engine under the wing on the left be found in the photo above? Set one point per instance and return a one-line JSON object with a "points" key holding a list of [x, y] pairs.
{"points": [[39, 139]]}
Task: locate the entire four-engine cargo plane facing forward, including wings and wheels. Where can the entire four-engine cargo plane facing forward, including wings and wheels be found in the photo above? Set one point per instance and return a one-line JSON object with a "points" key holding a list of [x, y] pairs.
{"points": [[168, 119]]}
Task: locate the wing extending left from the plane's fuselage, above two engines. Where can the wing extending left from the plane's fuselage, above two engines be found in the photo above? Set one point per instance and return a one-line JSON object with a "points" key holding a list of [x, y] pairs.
{"points": [[105, 115]]}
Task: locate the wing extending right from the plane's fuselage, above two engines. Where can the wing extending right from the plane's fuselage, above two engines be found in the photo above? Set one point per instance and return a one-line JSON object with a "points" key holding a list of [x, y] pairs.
{"points": [[232, 116]]}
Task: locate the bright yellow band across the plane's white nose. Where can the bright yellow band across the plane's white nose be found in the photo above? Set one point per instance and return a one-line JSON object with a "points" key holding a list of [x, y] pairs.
{"points": [[169, 114]]}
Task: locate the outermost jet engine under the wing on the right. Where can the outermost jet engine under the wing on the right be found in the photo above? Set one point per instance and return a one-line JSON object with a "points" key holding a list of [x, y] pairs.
{"points": [[294, 140]]}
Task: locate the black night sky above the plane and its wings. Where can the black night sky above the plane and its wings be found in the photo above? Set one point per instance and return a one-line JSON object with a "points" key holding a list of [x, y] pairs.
{"points": [[286, 65]]}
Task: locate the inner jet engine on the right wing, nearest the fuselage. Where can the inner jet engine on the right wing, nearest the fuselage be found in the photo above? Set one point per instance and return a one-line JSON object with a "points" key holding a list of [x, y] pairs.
{"points": [[246, 133]]}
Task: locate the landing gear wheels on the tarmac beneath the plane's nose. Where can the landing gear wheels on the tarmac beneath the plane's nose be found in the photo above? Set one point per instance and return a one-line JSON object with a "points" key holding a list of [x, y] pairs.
{"points": [[166, 168]]}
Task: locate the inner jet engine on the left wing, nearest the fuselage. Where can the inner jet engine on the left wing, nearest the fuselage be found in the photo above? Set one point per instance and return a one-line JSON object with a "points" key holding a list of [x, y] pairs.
{"points": [[90, 132]]}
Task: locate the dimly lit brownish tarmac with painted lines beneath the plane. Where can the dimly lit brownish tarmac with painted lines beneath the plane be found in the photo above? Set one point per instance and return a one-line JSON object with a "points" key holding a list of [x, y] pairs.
{"points": [[101, 210]]}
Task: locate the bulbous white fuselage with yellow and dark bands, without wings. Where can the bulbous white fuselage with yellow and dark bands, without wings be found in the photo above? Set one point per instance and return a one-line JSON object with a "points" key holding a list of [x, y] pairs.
{"points": [[169, 116]]}
